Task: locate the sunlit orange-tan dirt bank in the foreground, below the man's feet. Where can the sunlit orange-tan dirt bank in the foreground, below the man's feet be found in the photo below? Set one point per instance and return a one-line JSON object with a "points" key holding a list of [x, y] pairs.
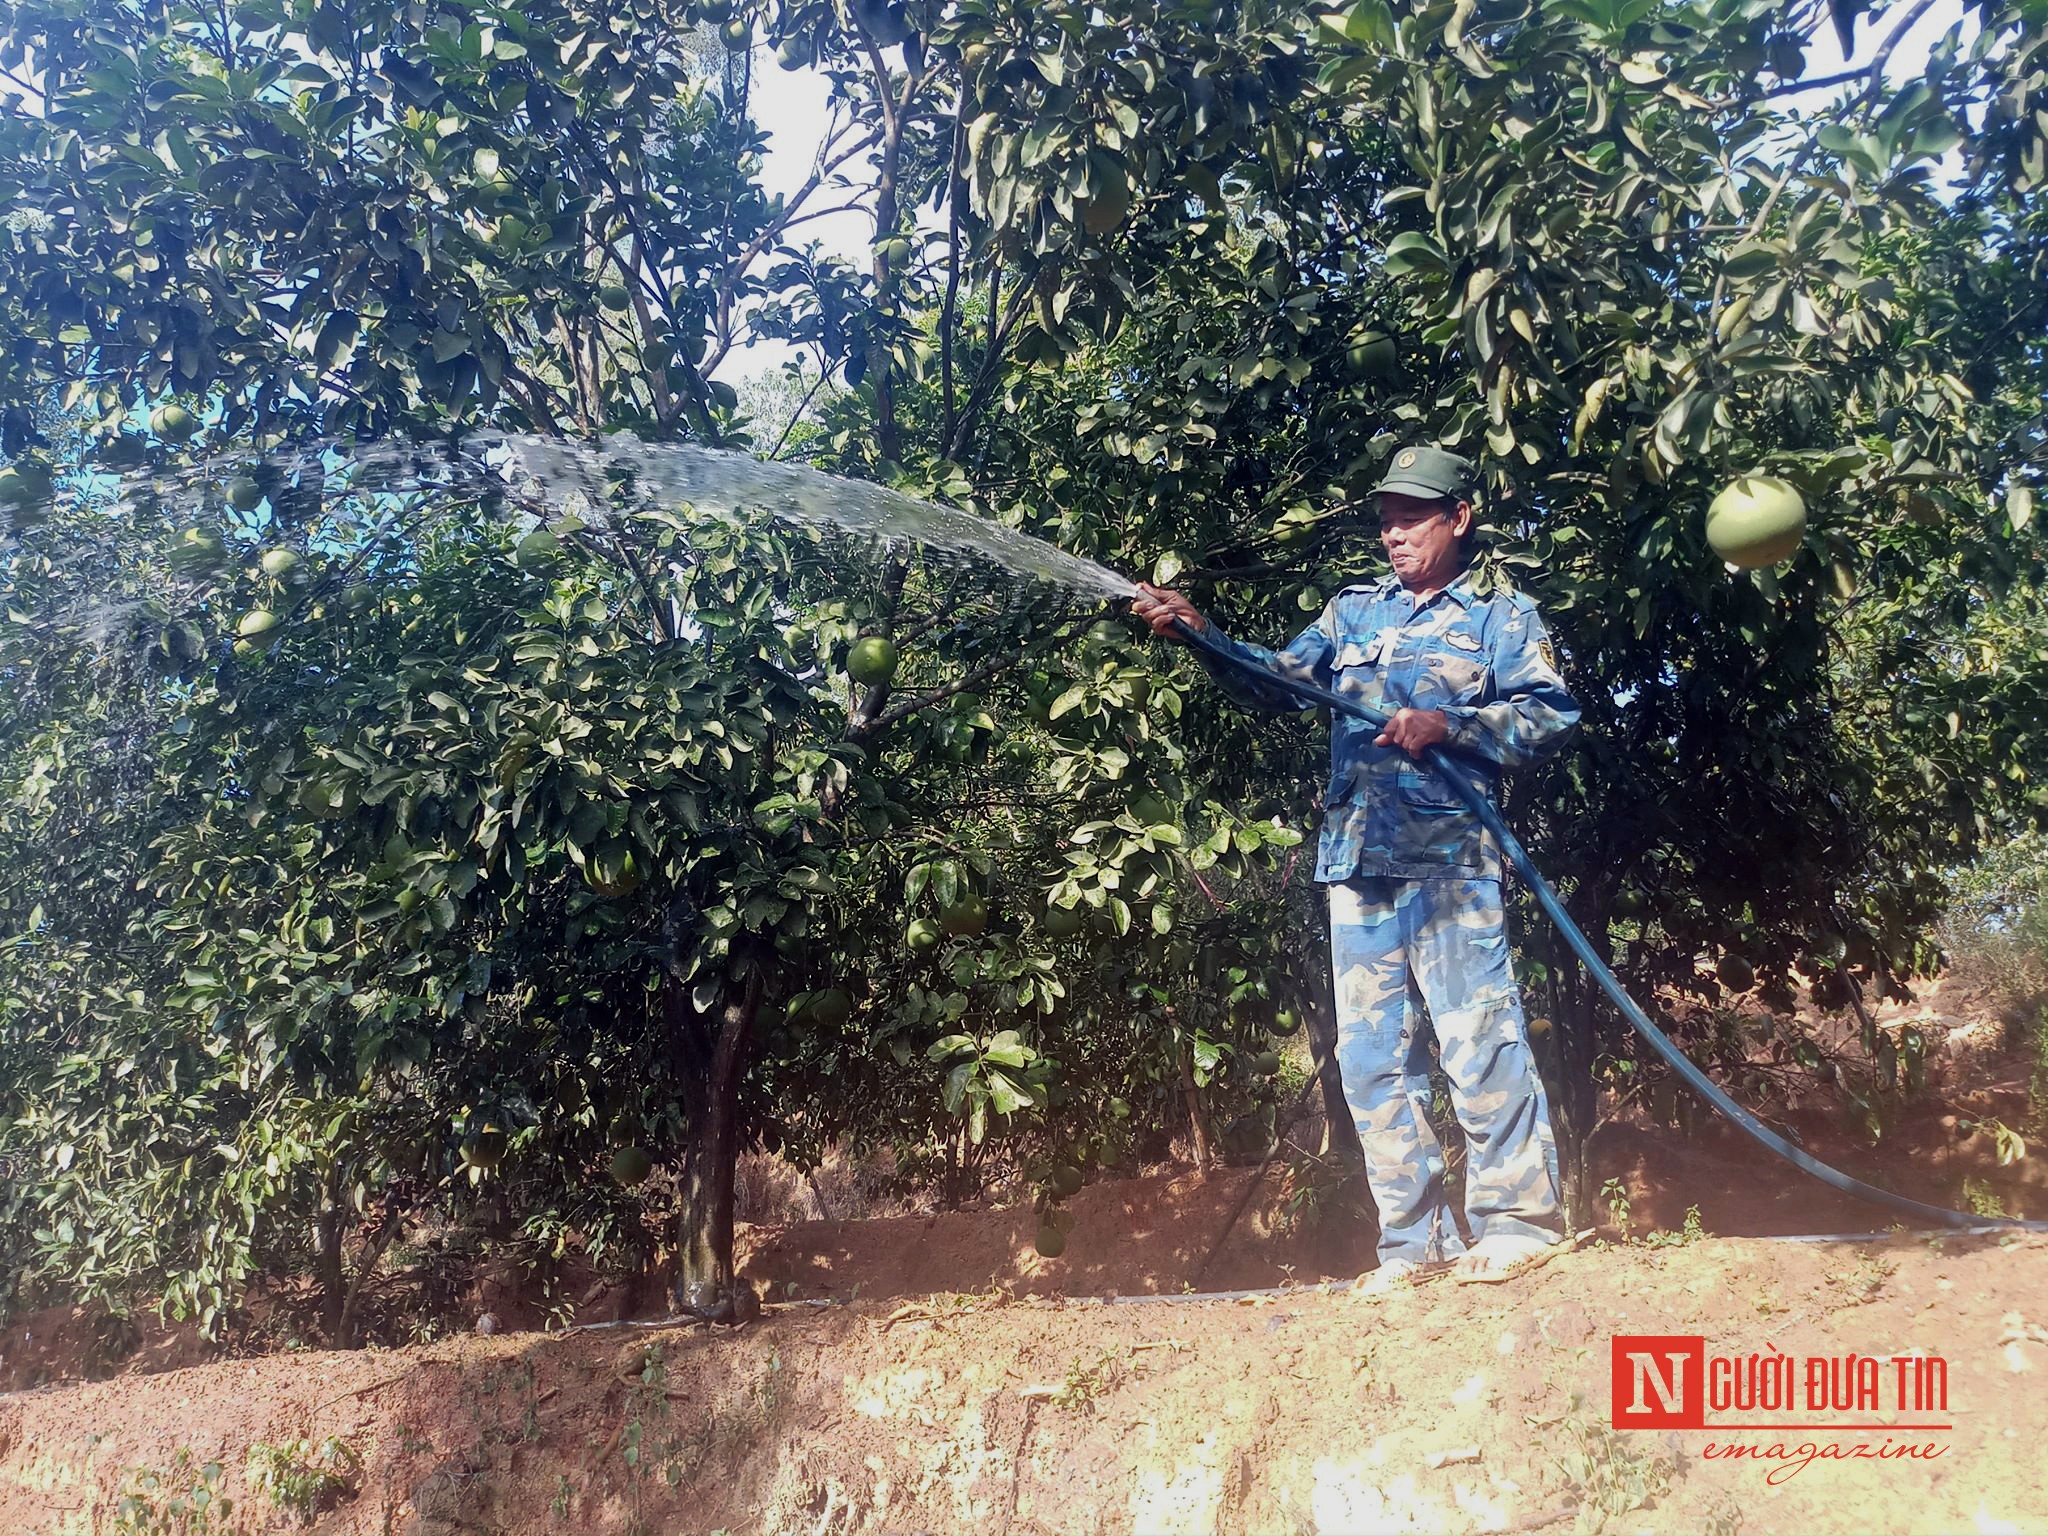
{"points": [[1439, 1410]]}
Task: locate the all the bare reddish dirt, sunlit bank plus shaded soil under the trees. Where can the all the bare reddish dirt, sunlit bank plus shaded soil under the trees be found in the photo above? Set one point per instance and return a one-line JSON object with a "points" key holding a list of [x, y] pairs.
{"points": [[931, 1373]]}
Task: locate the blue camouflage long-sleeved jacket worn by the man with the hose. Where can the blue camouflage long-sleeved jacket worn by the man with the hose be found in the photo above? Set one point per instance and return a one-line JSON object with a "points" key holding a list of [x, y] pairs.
{"points": [[1484, 660]]}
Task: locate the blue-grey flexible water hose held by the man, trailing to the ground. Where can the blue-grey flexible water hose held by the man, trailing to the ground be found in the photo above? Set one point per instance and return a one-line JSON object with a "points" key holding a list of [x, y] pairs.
{"points": [[1705, 1086]]}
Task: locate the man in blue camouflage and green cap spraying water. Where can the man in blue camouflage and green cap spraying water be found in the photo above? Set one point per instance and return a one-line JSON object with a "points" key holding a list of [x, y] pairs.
{"points": [[1414, 878]]}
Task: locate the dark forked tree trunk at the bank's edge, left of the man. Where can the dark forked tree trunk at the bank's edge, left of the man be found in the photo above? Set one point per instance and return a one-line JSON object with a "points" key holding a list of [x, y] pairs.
{"points": [[712, 1068]]}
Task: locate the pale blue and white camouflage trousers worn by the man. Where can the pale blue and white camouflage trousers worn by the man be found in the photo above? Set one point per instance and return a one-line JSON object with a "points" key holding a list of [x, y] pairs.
{"points": [[1445, 941]]}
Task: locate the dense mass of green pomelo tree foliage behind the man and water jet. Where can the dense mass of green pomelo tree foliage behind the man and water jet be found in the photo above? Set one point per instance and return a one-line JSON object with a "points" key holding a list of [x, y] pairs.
{"points": [[1160, 284]]}
